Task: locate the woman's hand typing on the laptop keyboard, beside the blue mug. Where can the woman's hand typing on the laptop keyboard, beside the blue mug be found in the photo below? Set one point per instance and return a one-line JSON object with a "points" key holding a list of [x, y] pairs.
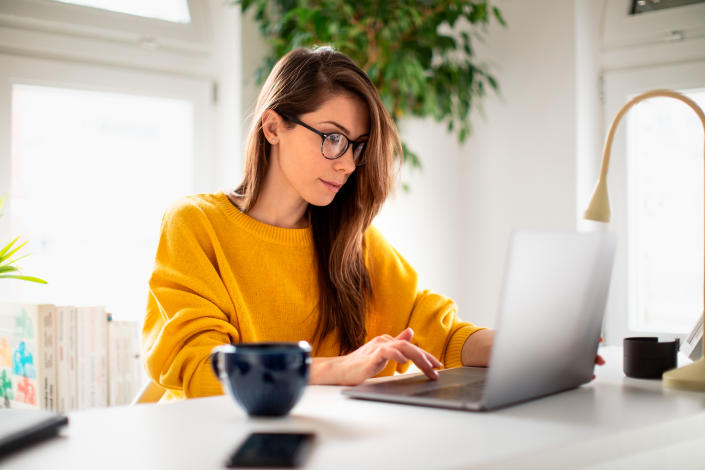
{"points": [[370, 358]]}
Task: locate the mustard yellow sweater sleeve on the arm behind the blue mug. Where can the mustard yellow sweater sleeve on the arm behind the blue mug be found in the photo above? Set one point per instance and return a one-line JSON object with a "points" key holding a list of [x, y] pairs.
{"points": [[188, 310]]}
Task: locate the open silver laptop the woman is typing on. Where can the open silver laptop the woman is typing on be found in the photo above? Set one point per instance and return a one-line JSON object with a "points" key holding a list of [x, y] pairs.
{"points": [[550, 319]]}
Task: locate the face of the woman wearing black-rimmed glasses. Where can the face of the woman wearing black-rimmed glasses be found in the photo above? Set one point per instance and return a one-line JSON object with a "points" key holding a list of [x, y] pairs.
{"points": [[314, 178]]}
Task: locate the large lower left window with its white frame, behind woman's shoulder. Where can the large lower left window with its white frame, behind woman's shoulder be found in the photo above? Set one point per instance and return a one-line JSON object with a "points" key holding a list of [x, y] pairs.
{"points": [[96, 157]]}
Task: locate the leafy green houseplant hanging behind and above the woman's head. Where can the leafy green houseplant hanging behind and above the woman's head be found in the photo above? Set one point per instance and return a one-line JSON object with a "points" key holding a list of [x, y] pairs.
{"points": [[417, 53]]}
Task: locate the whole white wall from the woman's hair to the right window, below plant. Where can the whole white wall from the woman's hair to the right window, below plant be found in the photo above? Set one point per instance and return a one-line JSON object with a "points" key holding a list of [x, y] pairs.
{"points": [[516, 172]]}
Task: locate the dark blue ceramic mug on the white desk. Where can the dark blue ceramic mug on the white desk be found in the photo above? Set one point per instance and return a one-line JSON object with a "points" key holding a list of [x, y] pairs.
{"points": [[266, 379]]}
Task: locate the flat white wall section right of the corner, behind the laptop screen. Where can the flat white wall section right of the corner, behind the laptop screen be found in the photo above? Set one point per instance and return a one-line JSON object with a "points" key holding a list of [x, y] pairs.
{"points": [[521, 165]]}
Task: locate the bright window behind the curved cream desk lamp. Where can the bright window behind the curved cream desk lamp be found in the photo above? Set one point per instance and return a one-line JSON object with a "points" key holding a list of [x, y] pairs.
{"points": [[655, 185]]}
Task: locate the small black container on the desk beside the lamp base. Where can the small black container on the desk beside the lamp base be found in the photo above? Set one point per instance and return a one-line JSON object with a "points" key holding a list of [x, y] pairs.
{"points": [[646, 358]]}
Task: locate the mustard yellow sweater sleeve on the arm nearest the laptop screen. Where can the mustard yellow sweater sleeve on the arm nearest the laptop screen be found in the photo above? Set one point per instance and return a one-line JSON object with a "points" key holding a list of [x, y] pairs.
{"points": [[399, 303]]}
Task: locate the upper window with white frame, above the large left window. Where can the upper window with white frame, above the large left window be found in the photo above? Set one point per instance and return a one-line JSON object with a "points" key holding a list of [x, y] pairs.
{"points": [[86, 25]]}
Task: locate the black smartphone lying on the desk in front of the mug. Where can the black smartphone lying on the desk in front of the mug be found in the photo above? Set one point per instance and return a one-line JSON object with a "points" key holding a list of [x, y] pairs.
{"points": [[286, 450]]}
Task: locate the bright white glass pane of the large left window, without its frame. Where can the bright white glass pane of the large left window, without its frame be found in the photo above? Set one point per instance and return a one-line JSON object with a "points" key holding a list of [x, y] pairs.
{"points": [[92, 174]]}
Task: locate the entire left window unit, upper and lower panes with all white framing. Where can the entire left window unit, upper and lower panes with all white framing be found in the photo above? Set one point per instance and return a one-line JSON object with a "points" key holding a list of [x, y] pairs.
{"points": [[107, 115]]}
